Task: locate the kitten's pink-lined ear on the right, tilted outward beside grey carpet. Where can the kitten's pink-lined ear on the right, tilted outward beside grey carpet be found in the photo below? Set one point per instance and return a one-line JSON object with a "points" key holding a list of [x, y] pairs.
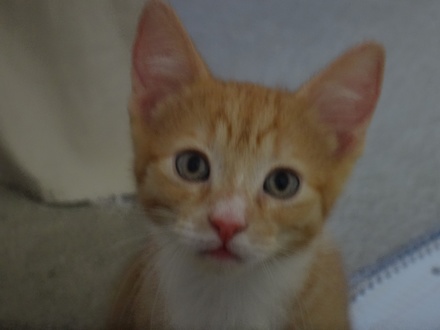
{"points": [[345, 94]]}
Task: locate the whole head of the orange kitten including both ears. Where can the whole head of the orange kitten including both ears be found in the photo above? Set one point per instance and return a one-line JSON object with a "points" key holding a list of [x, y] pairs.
{"points": [[234, 172]]}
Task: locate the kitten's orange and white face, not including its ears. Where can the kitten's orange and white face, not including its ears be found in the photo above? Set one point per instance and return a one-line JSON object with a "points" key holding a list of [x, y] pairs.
{"points": [[239, 153]]}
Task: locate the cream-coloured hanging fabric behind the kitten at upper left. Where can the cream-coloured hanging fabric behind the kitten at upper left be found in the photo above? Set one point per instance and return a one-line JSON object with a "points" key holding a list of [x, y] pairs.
{"points": [[64, 84]]}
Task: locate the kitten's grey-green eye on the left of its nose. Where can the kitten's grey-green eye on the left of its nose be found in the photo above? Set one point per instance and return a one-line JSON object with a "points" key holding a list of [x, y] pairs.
{"points": [[192, 166]]}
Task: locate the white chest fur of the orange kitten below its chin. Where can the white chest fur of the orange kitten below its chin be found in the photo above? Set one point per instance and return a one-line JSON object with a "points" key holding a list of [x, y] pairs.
{"points": [[255, 298]]}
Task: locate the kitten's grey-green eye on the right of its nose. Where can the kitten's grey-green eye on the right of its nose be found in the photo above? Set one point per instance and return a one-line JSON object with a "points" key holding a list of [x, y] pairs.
{"points": [[281, 183]]}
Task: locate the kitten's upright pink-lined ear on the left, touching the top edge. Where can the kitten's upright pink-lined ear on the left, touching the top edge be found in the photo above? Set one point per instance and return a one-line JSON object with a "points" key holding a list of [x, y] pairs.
{"points": [[164, 58]]}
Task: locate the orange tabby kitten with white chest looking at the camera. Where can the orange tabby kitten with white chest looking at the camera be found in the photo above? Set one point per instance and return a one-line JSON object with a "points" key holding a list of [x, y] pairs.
{"points": [[236, 181]]}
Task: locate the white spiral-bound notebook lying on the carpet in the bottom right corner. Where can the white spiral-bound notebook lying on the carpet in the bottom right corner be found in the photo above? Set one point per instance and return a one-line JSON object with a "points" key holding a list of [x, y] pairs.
{"points": [[402, 292]]}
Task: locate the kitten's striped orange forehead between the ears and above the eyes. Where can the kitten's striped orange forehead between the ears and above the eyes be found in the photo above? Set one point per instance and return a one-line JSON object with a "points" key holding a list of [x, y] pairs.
{"points": [[239, 115]]}
